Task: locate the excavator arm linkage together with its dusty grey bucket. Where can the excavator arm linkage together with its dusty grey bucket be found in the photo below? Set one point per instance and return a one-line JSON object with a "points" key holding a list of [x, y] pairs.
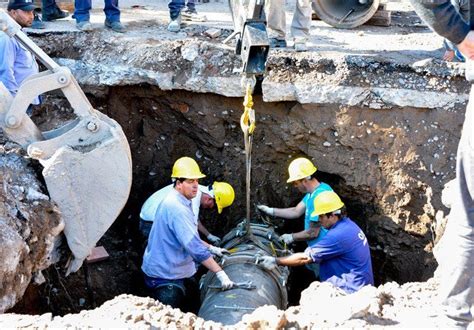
{"points": [[86, 163]]}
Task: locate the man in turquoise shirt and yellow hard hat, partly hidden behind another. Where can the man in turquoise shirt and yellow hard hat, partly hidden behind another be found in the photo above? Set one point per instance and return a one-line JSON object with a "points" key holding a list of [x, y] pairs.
{"points": [[302, 175]]}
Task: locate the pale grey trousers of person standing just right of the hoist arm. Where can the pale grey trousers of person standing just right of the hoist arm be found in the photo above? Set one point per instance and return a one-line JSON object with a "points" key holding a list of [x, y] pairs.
{"points": [[276, 21]]}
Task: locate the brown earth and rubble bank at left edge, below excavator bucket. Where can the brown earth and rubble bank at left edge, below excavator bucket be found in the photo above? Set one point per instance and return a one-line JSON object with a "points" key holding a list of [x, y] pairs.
{"points": [[29, 226]]}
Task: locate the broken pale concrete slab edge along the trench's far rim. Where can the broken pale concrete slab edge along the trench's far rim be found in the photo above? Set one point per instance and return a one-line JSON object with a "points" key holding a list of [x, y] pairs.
{"points": [[315, 91]]}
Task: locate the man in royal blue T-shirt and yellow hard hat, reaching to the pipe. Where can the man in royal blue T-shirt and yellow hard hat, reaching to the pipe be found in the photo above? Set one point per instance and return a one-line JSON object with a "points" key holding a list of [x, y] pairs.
{"points": [[344, 253]]}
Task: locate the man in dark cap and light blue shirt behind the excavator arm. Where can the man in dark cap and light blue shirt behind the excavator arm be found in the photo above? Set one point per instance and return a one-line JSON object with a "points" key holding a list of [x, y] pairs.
{"points": [[17, 62]]}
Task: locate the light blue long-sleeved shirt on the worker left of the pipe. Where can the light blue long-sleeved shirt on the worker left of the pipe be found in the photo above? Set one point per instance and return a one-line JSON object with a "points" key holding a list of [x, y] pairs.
{"points": [[174, 244]]}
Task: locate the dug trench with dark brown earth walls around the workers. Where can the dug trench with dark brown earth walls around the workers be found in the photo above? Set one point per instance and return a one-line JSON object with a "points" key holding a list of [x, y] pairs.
{"points": [[162, 126]]}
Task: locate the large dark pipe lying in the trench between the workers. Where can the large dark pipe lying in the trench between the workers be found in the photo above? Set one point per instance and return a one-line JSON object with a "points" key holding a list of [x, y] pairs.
{"points": [[228, 307]]}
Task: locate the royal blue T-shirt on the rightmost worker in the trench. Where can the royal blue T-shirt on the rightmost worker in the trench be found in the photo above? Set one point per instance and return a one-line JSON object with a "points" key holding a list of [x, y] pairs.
{"points": [[344, 256]]}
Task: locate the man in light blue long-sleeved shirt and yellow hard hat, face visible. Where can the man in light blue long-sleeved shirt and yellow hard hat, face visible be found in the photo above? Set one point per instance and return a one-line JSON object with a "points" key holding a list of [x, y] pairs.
{"points": [[174, 245]]}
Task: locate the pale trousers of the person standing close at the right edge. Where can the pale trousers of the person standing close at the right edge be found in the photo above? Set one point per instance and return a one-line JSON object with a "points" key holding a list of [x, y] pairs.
{"points": [[456, 256]]}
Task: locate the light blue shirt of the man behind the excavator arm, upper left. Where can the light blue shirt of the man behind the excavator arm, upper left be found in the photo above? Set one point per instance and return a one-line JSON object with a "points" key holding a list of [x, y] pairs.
{"points": [[16, 64]]}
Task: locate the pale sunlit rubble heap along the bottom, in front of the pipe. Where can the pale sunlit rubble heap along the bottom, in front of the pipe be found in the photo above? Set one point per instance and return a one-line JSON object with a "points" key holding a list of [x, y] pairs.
{"points": [[321, 305]]}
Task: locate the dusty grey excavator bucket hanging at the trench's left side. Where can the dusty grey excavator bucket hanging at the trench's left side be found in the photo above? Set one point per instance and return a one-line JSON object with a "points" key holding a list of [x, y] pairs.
{"points": [[88, 174]]}
